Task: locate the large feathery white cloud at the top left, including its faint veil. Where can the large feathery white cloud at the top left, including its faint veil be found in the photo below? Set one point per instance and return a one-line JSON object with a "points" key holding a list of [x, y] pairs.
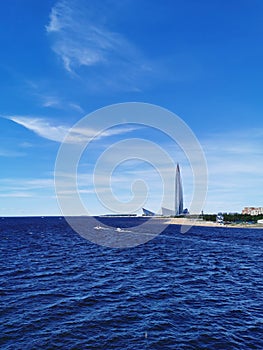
{"points": [[81, 37]]}
